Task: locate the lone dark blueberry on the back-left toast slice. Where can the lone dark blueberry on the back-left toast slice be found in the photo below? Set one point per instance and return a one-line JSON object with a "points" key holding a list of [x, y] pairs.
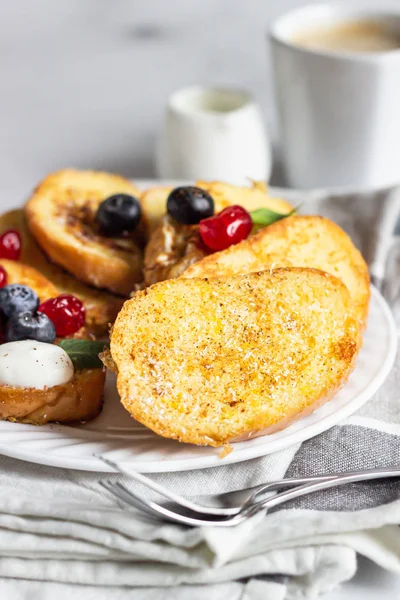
{"points": [[117, 214]]}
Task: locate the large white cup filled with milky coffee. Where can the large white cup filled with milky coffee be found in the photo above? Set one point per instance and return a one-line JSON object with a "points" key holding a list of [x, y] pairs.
{"points": [[339, 111]]}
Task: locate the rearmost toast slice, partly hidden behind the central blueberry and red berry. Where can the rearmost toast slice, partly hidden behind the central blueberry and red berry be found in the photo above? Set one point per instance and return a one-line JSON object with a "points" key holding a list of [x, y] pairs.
{"points": [[154, 200]]}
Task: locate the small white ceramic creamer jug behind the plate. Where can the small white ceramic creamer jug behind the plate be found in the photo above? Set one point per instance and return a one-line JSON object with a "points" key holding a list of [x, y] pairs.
{"points": [[213, 133]]}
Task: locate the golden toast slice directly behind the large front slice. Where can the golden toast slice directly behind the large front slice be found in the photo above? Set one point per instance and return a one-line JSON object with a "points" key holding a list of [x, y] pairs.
{"points": [[298, 241]]}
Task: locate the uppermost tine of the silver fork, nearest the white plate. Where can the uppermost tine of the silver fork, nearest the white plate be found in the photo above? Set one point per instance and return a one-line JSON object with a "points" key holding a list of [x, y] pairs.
{"points": [[177, 498]]}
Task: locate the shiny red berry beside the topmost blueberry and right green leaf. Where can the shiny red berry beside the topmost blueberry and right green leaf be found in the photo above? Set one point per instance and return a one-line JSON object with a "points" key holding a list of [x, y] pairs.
{"points": [[229, 227]]}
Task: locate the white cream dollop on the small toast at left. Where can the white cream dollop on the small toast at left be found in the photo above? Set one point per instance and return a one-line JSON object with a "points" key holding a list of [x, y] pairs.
{"points": [[30, 364]]}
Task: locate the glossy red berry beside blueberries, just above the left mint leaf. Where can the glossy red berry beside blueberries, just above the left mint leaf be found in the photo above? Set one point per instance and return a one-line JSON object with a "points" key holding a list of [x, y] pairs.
{"points": [[67, 313]]}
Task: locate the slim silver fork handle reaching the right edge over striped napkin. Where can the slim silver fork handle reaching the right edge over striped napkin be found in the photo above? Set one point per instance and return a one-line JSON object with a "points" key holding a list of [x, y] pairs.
{"points": [[309, 488]]}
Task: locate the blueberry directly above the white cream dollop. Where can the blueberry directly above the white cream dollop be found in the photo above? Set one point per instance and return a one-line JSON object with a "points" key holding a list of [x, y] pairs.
{"points": [[28, 326]]}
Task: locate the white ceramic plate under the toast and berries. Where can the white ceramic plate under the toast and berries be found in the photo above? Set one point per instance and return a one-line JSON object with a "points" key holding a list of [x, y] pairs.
{"points": [[115, 433]]}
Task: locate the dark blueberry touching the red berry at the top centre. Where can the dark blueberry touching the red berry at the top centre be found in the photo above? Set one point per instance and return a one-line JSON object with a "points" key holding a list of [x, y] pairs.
{"points": [[189, 205]]}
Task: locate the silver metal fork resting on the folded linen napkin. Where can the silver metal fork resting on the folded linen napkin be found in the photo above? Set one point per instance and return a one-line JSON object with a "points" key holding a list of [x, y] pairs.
{"points": [[249, 508]]}
